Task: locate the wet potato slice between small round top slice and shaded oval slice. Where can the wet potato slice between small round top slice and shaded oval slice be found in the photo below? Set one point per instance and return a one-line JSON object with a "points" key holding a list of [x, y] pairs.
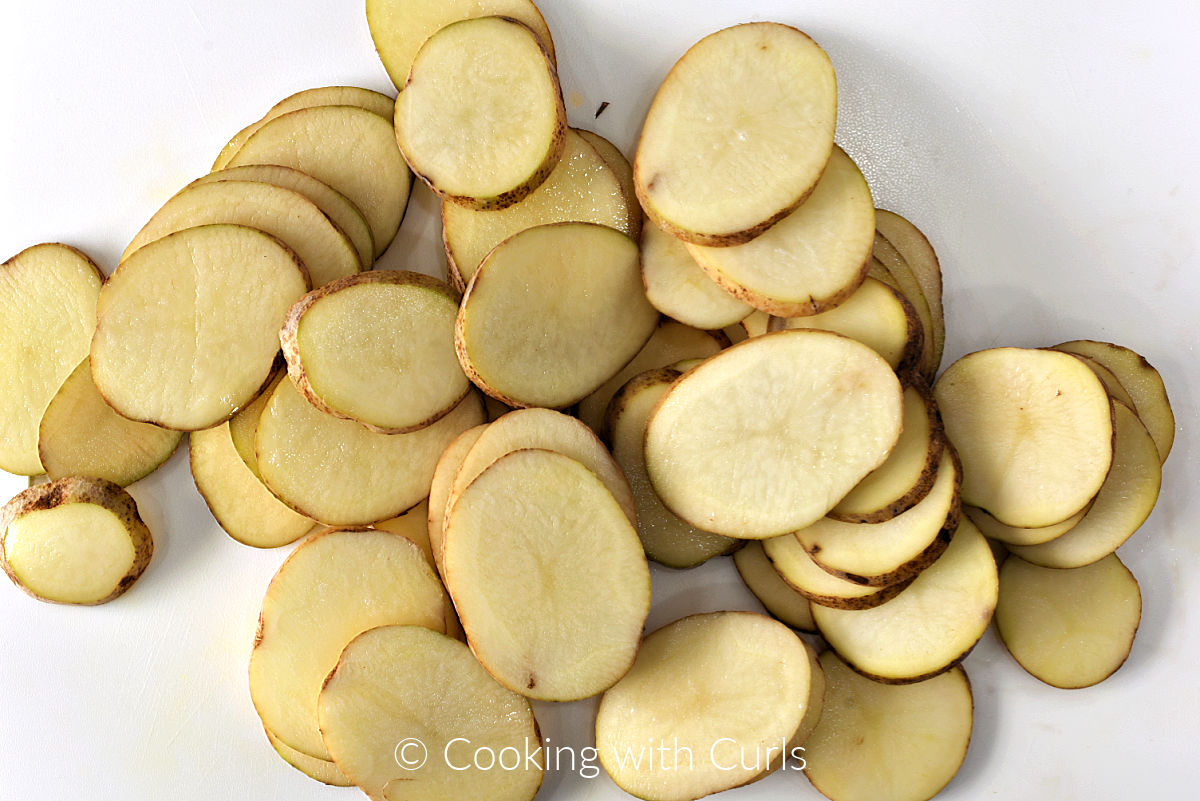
{"points": [[583, 188]]}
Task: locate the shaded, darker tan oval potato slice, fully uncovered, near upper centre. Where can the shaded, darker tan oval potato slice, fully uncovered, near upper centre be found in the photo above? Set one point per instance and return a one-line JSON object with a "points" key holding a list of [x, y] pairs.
{"points": [[553, 315]]}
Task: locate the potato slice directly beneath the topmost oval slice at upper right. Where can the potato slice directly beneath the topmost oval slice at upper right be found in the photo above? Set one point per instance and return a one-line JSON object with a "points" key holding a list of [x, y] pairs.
{"points": [[811, 261]]}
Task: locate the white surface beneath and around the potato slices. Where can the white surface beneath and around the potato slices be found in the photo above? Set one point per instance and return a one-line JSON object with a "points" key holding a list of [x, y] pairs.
{"points": [[1049, 150]]}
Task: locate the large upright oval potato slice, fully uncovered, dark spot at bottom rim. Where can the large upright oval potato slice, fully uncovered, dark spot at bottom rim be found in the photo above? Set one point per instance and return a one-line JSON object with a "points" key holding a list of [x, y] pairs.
{"points": [[535, 537]]}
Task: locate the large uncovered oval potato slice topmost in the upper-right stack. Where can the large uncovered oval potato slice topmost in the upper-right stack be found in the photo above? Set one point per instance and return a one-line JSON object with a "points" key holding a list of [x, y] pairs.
{"points": [[739, 134]]}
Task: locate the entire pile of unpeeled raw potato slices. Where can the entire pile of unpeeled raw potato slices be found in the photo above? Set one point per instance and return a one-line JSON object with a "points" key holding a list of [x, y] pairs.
{"points": [[722, 348]]}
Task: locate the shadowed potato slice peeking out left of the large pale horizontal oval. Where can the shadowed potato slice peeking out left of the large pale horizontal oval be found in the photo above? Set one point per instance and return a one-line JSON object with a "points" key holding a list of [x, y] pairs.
{"points": [[667, 539]]}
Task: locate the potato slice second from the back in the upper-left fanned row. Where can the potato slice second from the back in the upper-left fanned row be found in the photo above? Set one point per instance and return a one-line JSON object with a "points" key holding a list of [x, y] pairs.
{"points": [[349, 148]]}
